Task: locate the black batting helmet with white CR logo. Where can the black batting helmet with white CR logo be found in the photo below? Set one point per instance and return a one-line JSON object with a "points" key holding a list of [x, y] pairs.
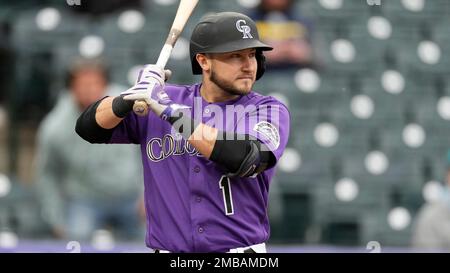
{"points": [[226, 32]]}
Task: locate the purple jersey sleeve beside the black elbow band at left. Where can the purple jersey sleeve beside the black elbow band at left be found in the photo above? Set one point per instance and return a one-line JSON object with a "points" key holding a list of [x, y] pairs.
{"points": [[127, 131]]}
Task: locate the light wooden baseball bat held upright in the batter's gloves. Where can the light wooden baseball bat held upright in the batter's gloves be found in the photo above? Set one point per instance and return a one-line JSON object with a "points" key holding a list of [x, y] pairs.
{"points": [[185, 9]]}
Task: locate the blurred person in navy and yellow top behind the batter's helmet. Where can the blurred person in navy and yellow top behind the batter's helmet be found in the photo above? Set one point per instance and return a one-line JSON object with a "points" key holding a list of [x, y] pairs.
{"points": [[283, 28]]}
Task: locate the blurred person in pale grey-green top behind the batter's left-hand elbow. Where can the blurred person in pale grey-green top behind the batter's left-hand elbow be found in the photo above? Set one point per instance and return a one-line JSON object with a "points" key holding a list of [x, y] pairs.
{"points": [[84, 187]]}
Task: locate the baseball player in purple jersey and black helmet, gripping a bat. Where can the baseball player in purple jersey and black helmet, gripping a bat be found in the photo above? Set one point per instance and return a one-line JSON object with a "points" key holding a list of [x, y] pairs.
{"points": [[208, 149]]}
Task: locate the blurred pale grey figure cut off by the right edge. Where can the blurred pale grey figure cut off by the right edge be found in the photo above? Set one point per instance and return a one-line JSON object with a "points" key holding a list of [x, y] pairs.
{"points": [[432, 224]]}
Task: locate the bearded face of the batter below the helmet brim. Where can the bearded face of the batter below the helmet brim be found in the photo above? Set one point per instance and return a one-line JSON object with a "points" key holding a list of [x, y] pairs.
{"points": [[234, 72]]}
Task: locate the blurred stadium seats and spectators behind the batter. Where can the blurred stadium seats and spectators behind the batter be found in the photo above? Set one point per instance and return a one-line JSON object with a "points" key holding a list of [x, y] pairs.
{"points": [[366, 81]]}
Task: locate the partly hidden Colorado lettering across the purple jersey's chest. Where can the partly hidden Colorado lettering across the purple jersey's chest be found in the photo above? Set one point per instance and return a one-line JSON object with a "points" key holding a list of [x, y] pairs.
{"points": [[159, 149]]}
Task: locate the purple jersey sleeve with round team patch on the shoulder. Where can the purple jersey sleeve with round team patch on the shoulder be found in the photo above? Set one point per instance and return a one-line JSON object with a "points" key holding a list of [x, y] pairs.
{"points": [[269, 122]]}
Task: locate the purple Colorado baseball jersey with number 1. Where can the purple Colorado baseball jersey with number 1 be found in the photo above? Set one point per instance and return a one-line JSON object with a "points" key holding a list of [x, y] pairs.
{"points": [[191, 205]]}
